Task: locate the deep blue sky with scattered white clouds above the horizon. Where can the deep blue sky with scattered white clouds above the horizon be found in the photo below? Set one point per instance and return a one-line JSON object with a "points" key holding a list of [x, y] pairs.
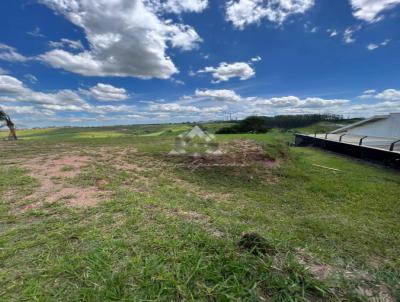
{"points": [[105, 62]]}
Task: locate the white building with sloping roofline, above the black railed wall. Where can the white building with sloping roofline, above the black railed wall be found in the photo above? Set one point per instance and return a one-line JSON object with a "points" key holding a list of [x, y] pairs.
{"points": [[387, 126]]}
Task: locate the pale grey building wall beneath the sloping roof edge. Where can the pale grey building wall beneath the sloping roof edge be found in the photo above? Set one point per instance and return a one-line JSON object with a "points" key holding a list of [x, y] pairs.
{"points": [[389, 127]]}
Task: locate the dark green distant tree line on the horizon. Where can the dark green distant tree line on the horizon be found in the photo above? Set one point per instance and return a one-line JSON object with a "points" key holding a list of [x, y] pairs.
{"points": [[261, 124]]}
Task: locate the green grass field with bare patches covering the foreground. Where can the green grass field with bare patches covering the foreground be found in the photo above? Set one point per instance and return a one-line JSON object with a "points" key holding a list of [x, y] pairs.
{"points": [[104, 214]]}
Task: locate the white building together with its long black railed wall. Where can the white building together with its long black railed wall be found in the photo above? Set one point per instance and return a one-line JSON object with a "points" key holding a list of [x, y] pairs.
{"points": [[376, 138]]}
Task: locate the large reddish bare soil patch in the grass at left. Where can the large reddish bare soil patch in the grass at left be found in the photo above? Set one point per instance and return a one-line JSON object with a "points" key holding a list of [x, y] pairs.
{"points": [[55, 172]]}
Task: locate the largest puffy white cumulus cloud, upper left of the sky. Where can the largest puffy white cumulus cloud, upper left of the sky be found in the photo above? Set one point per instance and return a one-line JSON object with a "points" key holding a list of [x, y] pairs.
{"points": [[126, 38]]}
